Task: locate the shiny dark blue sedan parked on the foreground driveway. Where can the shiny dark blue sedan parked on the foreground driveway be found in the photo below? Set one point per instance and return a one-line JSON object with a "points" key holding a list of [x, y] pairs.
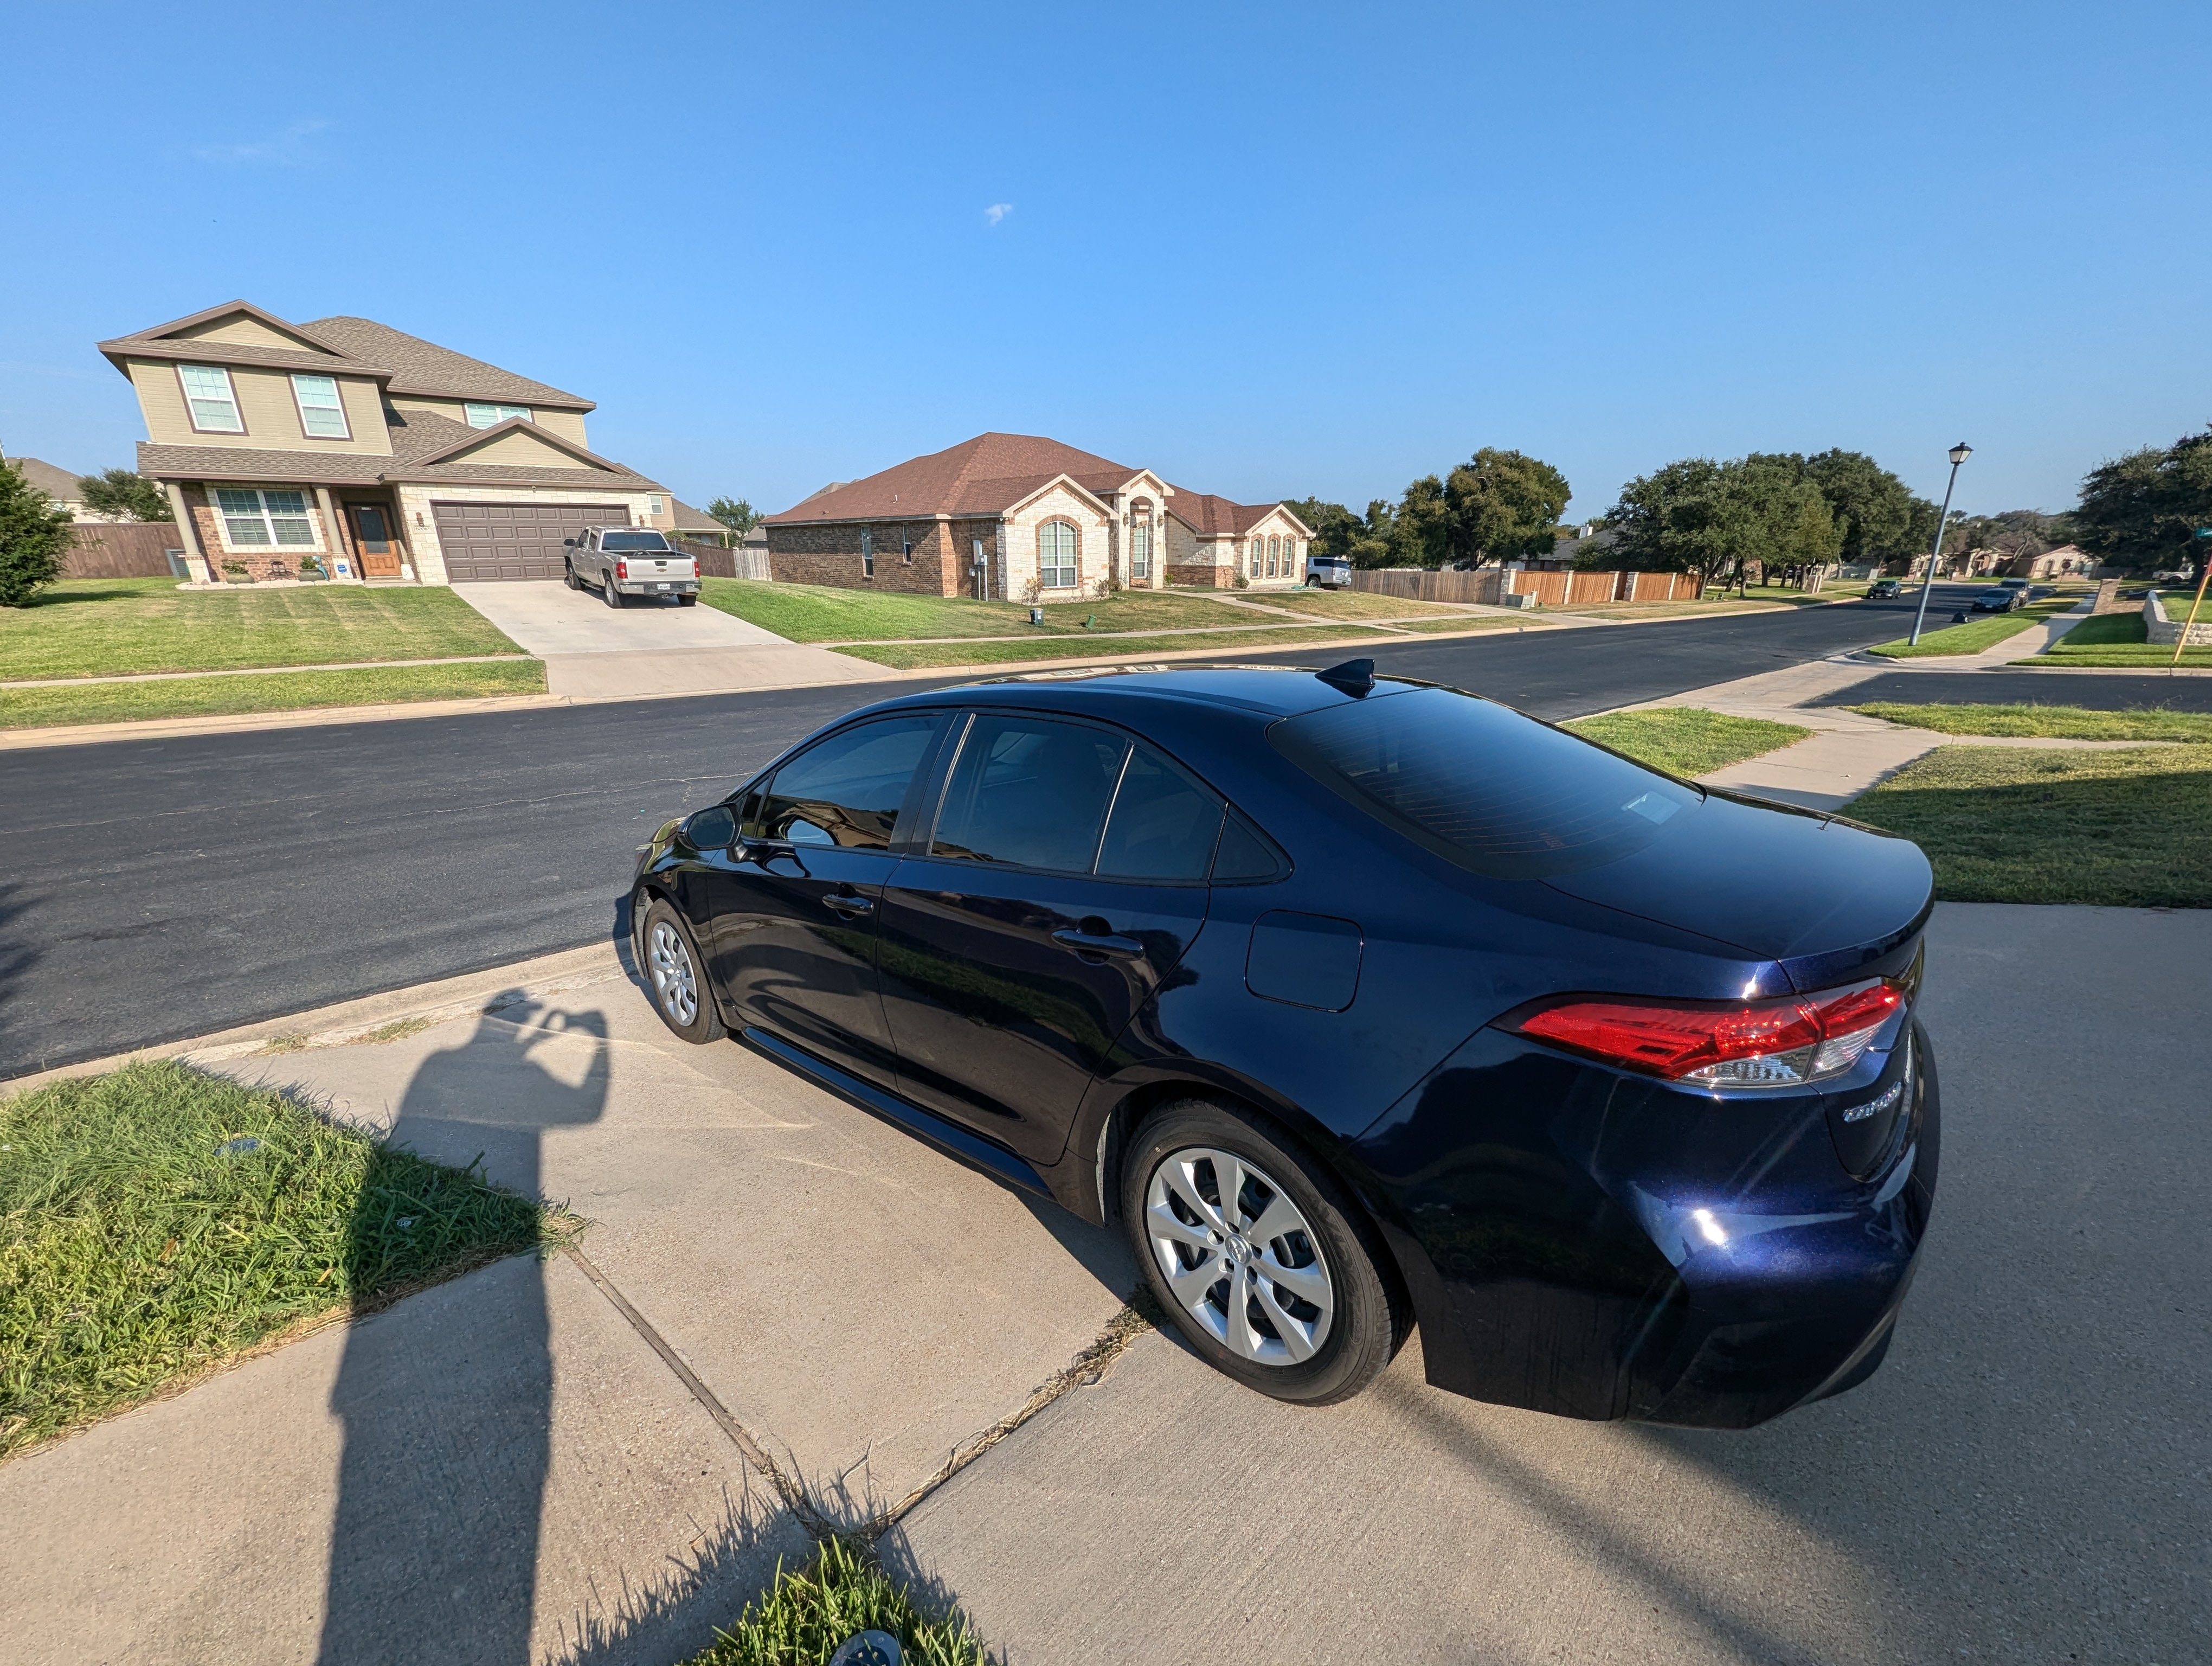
{"points": [[1359, 1003]]}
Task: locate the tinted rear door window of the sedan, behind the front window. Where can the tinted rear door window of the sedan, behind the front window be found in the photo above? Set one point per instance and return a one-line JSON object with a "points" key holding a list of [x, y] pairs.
{"points": [[1030, 793]]}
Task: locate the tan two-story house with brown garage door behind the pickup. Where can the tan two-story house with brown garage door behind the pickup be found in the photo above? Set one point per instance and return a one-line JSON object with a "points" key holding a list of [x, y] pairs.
{"points": [[379, 455]]}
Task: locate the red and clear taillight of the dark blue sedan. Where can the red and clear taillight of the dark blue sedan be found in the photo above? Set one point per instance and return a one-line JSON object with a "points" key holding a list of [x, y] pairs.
{"points": [[1753, 1045]]}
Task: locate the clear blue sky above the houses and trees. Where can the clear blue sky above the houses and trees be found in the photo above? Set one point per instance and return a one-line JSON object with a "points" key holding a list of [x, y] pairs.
{"points": [[1271, 251]]}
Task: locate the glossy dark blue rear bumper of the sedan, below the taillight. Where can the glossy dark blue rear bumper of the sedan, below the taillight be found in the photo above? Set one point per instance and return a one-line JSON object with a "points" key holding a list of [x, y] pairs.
{"points": [[1583, 1242]]}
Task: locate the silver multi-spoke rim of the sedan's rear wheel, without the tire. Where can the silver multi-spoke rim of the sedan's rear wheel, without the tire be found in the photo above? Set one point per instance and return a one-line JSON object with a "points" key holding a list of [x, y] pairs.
{"points": [[1240, 1256]]}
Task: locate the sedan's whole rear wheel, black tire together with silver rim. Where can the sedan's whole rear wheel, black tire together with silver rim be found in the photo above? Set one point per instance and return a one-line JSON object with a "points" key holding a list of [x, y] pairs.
{"points": [[1315, 1337]]}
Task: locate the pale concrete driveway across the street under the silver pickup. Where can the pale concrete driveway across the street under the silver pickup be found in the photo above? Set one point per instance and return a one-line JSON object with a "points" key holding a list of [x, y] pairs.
{"points": [[651, 647]]}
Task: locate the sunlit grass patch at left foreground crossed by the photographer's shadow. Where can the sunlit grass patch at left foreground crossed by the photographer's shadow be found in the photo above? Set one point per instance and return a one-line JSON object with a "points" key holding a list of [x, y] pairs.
{"points": [[158, 1220]]}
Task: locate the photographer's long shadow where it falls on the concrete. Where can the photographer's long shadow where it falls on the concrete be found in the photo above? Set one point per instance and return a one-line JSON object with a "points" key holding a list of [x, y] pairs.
{"points": [[448, 1399]]}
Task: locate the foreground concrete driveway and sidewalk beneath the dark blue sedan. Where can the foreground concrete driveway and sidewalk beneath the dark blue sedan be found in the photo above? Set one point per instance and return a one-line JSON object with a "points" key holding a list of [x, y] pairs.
{"points": [[2027, 1479]]}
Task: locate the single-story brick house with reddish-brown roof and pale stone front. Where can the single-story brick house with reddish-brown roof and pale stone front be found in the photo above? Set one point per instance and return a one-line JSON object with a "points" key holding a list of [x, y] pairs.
{"points": [[1016, 517]]}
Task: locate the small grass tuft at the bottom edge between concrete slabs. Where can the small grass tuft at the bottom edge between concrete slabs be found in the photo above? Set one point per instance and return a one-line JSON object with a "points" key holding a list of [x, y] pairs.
{"points": [[806, 1614]]}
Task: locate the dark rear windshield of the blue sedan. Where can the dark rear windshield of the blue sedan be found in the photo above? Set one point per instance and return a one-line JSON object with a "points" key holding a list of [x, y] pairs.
{"points": [[1481, 784]]}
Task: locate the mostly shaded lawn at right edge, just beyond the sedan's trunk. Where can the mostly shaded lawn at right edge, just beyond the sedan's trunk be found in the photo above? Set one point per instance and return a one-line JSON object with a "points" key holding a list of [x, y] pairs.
{"points": [[2016, 826]]}
